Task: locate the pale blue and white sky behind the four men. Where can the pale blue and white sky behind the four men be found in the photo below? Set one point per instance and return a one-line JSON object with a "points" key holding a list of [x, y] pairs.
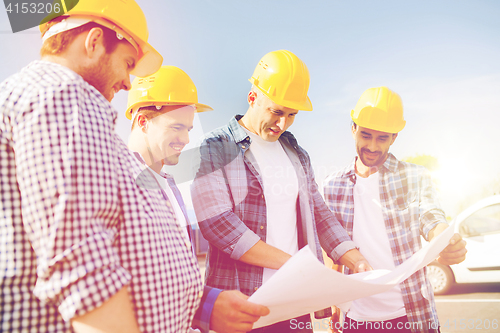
{"points": [[442, 57]]}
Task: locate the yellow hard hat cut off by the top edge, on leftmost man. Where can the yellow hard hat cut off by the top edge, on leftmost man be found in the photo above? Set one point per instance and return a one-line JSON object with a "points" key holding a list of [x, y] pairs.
{"points": [[123, 16]]}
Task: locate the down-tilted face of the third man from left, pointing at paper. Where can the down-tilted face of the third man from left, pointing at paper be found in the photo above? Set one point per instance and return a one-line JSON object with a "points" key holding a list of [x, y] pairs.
{"points": [[266, 118]]}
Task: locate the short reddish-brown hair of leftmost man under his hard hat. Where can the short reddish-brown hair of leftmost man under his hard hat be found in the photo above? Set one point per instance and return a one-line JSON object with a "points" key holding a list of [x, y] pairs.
{"points": [[58, 43]]}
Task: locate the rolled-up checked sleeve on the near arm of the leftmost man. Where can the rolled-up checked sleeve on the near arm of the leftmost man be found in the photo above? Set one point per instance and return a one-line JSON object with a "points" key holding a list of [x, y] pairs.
{"points": [[64, 150]]}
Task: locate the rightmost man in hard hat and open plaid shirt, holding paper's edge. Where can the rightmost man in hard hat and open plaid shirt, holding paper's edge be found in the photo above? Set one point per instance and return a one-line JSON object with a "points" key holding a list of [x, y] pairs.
{"points": [[386, 205]]}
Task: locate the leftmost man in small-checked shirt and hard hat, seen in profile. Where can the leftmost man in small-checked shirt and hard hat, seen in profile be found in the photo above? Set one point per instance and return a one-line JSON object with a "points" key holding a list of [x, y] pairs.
{"points": [[84, 248]]}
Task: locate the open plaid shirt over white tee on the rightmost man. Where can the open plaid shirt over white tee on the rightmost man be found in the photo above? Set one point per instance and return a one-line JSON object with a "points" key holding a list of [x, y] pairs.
{"points": [[410, 209]]}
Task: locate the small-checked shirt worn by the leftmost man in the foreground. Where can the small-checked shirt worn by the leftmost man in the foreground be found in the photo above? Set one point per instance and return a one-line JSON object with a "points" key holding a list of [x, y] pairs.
{"points": [[74, 224]]}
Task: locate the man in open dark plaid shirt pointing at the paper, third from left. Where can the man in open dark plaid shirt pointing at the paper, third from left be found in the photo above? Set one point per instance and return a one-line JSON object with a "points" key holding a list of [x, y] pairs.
{"points": [[255, 196]]}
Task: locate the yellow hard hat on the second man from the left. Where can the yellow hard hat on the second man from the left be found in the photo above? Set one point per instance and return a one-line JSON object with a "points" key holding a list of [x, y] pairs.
{"points": [[169, 86]]}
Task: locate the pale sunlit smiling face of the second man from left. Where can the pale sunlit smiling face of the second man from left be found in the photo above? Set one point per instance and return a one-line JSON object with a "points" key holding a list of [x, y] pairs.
{"points": [[168, 133]]}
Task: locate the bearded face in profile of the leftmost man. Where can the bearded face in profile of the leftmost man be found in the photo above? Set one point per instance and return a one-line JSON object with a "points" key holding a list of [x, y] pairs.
{"points": [[111, 71]]}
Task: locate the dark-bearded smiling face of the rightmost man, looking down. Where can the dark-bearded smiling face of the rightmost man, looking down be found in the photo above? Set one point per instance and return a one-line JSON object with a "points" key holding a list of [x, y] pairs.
{"points": [[372, 147]]}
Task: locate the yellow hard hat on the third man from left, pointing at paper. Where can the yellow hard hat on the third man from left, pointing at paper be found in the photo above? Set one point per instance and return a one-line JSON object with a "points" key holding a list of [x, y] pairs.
{"points": [[284, 78]]}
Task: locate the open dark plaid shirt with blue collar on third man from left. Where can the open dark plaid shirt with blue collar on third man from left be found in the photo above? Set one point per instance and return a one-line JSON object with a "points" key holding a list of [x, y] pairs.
{"points": [[231, 209]]}
